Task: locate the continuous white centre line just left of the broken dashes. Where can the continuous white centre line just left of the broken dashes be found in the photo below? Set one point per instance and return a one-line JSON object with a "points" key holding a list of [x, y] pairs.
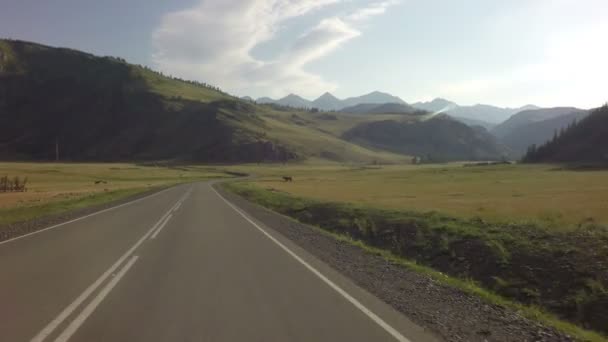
{"points": [[47, 330]]}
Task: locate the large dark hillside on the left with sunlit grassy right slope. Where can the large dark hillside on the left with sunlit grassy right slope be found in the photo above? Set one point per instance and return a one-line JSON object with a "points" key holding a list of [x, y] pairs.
{"points": [[104, 109]]}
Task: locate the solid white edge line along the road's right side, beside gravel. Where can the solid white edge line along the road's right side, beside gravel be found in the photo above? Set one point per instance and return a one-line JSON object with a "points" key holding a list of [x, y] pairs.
{"points": [[392, 331]]}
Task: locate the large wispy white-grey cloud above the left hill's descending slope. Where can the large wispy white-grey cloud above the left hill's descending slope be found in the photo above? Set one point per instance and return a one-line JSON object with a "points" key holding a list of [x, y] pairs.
{"points": [[212, 42]]}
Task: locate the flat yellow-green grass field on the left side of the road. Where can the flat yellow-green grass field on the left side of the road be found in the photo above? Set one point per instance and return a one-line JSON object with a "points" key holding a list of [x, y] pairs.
{"points": [[54, 188]]}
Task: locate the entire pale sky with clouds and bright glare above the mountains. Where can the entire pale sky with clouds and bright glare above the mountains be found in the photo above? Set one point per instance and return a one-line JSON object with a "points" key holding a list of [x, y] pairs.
{"points": [[505, 53]]}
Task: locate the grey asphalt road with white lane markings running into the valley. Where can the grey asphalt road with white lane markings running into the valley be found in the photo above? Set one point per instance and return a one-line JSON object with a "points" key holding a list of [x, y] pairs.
{"points": [[181, 265]]}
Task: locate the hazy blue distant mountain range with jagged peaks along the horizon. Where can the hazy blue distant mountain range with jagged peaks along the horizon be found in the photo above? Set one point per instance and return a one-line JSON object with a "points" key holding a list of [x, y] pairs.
{"points": [[515, 128]]}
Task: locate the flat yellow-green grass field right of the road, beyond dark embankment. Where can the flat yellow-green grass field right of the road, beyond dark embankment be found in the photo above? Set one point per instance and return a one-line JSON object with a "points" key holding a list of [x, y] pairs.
{"points": [[542, 194]]}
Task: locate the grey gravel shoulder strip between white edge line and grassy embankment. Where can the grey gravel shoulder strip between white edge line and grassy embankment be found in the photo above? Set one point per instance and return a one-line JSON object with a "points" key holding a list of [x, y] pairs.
{"points": [[449, 312]]}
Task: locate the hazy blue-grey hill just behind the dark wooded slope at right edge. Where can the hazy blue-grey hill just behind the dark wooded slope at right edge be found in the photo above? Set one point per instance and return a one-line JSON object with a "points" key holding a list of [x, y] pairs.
{"points": [[529, 132]]}
